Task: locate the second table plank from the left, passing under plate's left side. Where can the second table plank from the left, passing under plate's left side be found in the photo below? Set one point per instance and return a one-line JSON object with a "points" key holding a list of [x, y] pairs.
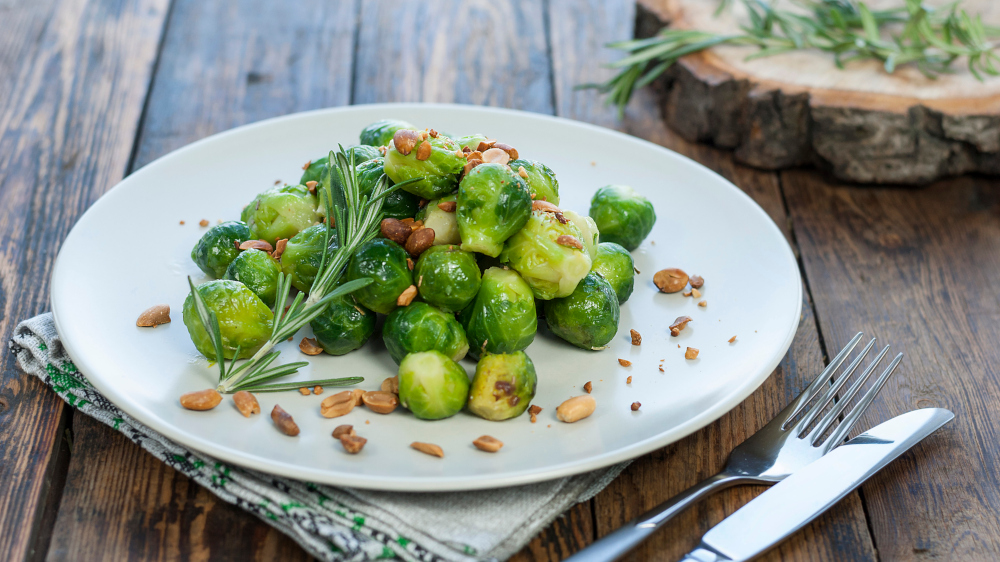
{"points": [[223, 64]]}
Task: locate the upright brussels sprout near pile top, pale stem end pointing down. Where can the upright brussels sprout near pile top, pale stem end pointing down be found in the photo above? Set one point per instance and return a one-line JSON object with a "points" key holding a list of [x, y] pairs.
{"points": [[493, 204]]}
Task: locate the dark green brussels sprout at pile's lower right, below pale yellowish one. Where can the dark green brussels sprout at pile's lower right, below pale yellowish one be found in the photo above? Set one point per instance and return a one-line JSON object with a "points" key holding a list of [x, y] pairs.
{"points": [[589, 317]]}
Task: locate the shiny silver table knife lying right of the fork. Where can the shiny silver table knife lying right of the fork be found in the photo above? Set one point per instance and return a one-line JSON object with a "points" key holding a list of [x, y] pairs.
{"points": [[792, 503]]}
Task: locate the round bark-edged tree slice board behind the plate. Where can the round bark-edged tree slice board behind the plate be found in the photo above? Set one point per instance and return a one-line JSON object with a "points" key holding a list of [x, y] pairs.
{"points": [[861, 123]]}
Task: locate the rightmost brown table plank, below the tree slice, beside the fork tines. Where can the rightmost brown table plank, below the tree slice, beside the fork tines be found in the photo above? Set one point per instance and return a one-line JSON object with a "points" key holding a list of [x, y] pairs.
{"points": [[918, 269]]}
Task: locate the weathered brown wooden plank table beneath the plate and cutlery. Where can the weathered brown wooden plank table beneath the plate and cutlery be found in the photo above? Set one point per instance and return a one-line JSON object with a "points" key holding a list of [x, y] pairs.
{"points": [[91, 90]]}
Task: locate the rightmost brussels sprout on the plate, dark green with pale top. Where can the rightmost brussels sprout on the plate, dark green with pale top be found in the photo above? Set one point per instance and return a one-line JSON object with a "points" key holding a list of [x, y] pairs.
{"points": [[622, 215]]}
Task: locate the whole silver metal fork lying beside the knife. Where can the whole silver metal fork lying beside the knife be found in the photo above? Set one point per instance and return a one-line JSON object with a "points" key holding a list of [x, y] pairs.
{"points": [[778, 449]]}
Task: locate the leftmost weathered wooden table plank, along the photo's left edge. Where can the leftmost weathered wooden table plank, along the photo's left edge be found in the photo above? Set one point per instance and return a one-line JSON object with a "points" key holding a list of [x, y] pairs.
{"points": [[73, 78]]}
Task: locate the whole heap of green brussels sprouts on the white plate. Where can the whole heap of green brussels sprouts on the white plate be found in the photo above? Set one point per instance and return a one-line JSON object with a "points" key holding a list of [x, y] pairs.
{"points": [[504, 255]]}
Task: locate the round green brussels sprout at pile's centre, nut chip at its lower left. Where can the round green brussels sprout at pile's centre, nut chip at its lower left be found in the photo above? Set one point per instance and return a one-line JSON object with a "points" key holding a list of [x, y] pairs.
{"points": [[447, 277]]}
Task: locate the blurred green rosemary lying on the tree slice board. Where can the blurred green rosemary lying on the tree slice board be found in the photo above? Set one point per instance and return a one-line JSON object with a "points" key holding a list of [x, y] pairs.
{"points": [[914, 34]]}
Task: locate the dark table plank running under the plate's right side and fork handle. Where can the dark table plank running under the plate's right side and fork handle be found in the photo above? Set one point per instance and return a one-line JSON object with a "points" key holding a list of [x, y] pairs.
{"points": [[577, 31]]}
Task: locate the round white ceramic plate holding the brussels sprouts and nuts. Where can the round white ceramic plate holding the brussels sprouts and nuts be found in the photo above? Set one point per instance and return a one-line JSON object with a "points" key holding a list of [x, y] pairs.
{"points": [[128, 252]]}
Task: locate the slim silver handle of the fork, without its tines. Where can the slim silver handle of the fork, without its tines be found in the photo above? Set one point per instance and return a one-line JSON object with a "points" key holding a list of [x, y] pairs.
{"points": [[618, 543]]}
